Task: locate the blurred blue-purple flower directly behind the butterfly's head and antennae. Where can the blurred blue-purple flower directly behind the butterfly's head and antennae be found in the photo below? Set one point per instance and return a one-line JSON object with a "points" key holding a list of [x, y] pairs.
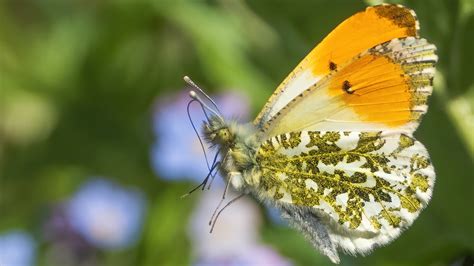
{"points": [[177, 152]]}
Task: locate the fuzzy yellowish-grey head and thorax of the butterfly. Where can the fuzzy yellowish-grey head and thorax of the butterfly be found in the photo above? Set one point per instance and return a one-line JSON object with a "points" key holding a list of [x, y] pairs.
{"points": [[237, 144]]}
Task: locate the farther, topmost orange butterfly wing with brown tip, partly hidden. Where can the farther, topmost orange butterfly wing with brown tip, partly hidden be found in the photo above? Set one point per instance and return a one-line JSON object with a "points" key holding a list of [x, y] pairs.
{"points": [[363, 30]]}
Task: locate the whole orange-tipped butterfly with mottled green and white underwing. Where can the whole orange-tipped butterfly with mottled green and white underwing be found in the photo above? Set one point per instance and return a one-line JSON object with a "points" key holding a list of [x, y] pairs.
{"points": [[333, 148]]}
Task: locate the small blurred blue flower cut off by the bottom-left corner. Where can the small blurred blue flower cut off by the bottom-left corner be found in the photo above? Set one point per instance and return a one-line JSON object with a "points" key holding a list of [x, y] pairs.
{"points": [[17, 248]]}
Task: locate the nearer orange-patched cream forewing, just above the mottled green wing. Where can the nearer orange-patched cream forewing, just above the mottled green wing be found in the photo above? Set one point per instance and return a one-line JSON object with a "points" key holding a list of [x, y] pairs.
{"points": [[383, 88]]}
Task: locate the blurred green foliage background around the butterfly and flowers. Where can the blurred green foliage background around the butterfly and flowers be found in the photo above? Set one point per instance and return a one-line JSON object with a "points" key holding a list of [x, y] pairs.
{"points": [[79, 80]]}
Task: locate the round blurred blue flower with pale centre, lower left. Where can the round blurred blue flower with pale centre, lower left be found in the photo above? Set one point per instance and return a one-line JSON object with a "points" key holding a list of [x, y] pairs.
{"points": [[107, 215]]}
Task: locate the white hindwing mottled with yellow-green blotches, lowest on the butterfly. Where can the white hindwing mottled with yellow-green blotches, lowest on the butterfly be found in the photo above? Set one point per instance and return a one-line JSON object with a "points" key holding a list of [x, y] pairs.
{"points": [[369, 185]]}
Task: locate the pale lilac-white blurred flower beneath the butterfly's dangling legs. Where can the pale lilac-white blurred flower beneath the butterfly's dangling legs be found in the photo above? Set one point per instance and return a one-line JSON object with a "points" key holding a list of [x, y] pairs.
{"points": [[234, 240]]}
